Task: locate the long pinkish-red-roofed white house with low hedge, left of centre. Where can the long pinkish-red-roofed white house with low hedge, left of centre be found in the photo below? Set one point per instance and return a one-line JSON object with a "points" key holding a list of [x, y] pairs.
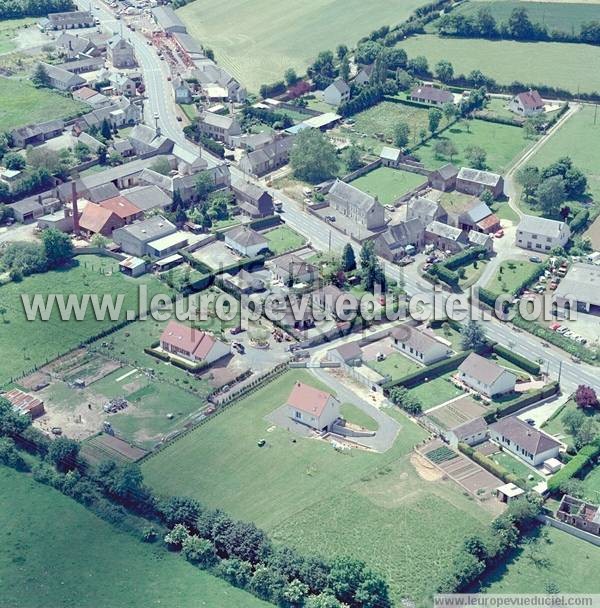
{"points": [[192, 344]]}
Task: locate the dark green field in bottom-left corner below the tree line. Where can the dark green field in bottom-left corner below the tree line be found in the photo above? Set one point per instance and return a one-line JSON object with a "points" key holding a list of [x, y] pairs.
{"points": [[77, 559]]}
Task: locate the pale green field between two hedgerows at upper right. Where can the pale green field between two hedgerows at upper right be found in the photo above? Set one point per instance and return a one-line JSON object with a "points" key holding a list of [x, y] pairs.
{"points": [[556, 64]]}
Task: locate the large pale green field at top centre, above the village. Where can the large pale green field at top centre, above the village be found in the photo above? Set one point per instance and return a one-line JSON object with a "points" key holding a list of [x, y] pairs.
{"points": [[257, 41]]}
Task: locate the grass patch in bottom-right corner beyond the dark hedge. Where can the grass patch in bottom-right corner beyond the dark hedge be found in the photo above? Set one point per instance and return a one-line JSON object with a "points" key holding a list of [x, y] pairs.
{"points": [[552, 556]]}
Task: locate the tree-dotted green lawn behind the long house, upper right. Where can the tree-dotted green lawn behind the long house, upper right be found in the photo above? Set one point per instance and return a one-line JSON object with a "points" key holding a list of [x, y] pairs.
{"points": [[502, 143]]}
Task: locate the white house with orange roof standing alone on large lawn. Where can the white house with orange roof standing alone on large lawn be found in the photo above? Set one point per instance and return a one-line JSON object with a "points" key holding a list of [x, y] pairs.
{"points": [[312, 407]]}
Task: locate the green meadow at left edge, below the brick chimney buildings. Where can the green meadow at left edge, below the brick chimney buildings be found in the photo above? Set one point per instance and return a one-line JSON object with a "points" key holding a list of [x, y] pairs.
{"points": [[48, 339]]}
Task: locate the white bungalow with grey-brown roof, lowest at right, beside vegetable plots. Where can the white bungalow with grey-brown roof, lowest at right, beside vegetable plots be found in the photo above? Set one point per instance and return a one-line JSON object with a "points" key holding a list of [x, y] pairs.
{"points": [[528, 443]]}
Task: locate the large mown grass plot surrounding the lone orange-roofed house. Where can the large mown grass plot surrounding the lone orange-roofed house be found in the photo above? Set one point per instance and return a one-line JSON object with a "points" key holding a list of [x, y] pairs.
{"points": [[295, 488]]}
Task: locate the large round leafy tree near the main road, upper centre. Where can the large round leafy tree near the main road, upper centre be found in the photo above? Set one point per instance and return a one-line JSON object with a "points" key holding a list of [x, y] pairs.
{"points": [[313, 157]]}
